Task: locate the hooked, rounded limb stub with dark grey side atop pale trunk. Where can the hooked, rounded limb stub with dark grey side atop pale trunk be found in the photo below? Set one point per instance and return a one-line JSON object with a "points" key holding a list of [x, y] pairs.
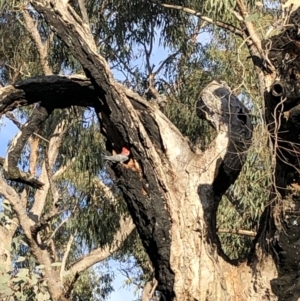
{"points": [[228, 115]]}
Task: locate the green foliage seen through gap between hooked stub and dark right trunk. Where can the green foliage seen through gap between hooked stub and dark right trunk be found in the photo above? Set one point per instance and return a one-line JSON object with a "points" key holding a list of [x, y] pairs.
{"points": [[243, 204]]}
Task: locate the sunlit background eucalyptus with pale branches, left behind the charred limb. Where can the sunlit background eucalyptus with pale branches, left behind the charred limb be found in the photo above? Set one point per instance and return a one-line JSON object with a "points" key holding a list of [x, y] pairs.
{"points": [[66, 237]]}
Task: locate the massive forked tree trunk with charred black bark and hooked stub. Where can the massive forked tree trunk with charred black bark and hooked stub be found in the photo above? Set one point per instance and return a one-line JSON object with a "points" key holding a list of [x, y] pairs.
{"points": [[172, 191]]}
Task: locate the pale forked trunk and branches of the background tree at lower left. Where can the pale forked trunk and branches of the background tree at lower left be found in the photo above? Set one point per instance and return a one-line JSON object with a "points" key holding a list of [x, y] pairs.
{"points": [[31, 224]]}
